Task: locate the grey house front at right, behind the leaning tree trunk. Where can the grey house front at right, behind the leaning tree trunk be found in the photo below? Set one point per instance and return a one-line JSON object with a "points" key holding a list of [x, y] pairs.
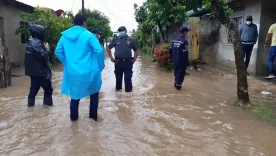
{"points": [[221, 51]]}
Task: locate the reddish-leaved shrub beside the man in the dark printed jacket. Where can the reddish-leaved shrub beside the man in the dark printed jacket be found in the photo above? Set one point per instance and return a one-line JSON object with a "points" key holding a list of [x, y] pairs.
{"points": [[162, 55]]}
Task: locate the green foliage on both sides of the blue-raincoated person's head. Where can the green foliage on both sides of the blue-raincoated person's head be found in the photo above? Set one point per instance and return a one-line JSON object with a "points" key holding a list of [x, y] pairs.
{"points": [[55, 25]]}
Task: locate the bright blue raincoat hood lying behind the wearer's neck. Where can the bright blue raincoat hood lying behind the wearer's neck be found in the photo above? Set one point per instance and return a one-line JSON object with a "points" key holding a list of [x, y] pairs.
{"points": [[73, 33]]}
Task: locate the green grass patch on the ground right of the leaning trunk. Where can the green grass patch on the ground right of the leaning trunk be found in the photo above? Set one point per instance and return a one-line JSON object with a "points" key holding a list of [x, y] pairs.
{"points": [[263, 111]]}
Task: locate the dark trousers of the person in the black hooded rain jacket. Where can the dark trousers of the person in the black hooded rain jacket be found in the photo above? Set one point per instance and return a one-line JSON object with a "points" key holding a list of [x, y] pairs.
{"points": [[36, 83]]}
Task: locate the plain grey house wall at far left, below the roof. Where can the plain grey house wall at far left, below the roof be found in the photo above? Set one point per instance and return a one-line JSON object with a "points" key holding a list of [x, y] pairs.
{"points": [[11, 21]]}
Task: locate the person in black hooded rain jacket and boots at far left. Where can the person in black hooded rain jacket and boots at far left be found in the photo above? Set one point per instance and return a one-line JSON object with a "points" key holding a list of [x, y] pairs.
{"points": [[36, 65]]}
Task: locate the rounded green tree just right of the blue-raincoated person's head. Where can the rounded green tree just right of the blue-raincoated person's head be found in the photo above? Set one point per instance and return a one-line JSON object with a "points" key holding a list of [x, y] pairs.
{"points": [[97, 20]]}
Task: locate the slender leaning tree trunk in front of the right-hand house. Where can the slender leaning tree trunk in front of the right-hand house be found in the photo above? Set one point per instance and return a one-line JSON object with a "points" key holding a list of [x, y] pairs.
{"points": [[242, 86]]}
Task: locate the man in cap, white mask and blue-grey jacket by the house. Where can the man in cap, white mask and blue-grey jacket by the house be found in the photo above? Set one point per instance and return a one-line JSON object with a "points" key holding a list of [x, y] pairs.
{"points": [[249, 35]]}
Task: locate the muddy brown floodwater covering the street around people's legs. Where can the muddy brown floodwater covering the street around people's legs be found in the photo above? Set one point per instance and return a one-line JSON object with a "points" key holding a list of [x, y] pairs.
{"points": [[153, 120]]}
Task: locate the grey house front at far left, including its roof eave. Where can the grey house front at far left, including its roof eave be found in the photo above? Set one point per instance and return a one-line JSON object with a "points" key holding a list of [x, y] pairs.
{"points": [[9, 21]]}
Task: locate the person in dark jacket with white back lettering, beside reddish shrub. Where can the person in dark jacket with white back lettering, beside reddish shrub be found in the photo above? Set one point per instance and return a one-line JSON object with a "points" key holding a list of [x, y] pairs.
{"points": [[179, 53]]}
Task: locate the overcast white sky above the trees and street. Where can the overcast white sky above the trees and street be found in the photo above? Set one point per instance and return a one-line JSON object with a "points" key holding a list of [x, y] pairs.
{"points": [[120, 12]]}
